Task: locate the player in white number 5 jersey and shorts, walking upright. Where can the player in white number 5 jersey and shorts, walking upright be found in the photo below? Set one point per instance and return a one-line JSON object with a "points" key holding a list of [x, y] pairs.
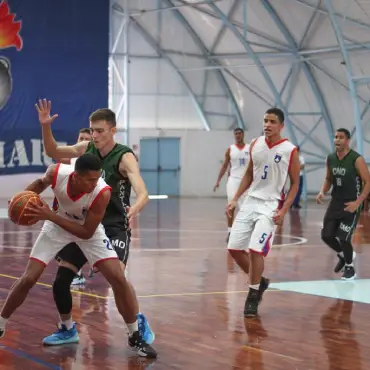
{"points": [[272, 160]]}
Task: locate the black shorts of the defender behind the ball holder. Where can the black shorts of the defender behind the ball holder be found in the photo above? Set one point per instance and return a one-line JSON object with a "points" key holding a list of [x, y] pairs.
{"points": [[120, 240]]}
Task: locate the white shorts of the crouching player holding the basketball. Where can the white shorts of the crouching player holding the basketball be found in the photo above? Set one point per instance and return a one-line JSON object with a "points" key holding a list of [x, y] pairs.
{"points": [[48, 244]]}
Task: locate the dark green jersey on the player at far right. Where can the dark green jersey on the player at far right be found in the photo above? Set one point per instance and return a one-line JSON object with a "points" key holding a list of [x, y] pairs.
{"points": [[347, 184]]}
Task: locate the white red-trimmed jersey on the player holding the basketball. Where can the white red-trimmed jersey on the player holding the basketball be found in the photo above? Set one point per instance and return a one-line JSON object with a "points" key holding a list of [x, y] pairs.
{"points": [[69, 207]]}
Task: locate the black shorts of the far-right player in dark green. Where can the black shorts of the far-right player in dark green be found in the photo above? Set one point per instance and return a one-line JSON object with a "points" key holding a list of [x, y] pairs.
{"points": [[338, 222]]}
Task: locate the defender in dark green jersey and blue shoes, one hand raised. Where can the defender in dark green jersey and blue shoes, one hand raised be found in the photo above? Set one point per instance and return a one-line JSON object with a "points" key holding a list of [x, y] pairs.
{"points": [[120, 170]]}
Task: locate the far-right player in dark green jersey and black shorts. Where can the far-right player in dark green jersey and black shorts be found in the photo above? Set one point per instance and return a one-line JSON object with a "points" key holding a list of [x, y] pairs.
{"points": [[346, 175]]}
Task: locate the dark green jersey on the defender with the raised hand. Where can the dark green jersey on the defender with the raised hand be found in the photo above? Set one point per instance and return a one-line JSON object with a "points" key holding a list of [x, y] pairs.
{"points": [[115, 214]]}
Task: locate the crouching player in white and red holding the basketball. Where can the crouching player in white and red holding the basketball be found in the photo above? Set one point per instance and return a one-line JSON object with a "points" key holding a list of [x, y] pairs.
{"points": [[83, 197]]}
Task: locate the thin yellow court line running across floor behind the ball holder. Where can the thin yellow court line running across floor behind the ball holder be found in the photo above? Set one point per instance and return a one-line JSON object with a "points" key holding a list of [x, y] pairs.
{"points": [[145, 296]]}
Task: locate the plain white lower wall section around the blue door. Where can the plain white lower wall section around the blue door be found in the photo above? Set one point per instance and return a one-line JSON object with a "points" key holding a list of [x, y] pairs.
{"points": [[201, 156]]}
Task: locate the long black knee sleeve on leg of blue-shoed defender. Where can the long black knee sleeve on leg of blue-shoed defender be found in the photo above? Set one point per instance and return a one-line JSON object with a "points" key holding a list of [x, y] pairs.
{"points": [[61, 290]]}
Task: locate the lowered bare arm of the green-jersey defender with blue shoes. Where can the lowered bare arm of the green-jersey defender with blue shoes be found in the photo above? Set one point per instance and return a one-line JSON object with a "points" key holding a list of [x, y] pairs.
{"points": [[129, 167]]}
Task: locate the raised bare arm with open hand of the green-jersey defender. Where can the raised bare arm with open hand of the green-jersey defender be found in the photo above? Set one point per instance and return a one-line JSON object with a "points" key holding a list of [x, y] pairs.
{"points": [[52, 149]]}
